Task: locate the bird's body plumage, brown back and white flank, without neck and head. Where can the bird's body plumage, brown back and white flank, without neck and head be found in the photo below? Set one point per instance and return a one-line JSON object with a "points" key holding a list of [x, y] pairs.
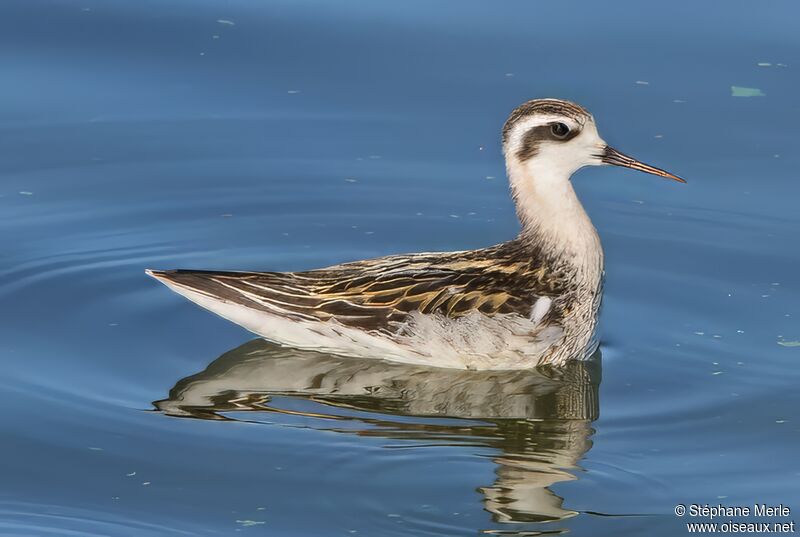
{"points": [[430, 306]]}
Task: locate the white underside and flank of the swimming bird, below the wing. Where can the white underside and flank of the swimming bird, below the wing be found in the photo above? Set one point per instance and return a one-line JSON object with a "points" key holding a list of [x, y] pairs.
{"points": [[474, 341]]}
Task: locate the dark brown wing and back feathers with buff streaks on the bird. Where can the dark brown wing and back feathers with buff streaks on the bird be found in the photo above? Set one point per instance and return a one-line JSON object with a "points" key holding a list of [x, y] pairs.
{"points": [[379, 294]]}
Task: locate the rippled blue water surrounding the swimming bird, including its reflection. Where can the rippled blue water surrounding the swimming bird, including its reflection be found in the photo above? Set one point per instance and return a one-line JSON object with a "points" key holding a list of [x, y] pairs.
{"points": [[306, 134]]}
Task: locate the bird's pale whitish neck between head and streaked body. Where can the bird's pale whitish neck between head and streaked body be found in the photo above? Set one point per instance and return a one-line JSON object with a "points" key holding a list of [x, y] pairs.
{"points": [[553, 219]]}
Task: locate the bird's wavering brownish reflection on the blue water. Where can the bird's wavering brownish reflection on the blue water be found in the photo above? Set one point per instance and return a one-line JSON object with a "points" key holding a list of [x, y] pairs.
{"points": [[538, 421]]}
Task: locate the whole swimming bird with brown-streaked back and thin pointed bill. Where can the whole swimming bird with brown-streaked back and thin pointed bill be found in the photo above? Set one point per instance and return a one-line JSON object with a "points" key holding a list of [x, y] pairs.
{"points": [[531, 301]]}
